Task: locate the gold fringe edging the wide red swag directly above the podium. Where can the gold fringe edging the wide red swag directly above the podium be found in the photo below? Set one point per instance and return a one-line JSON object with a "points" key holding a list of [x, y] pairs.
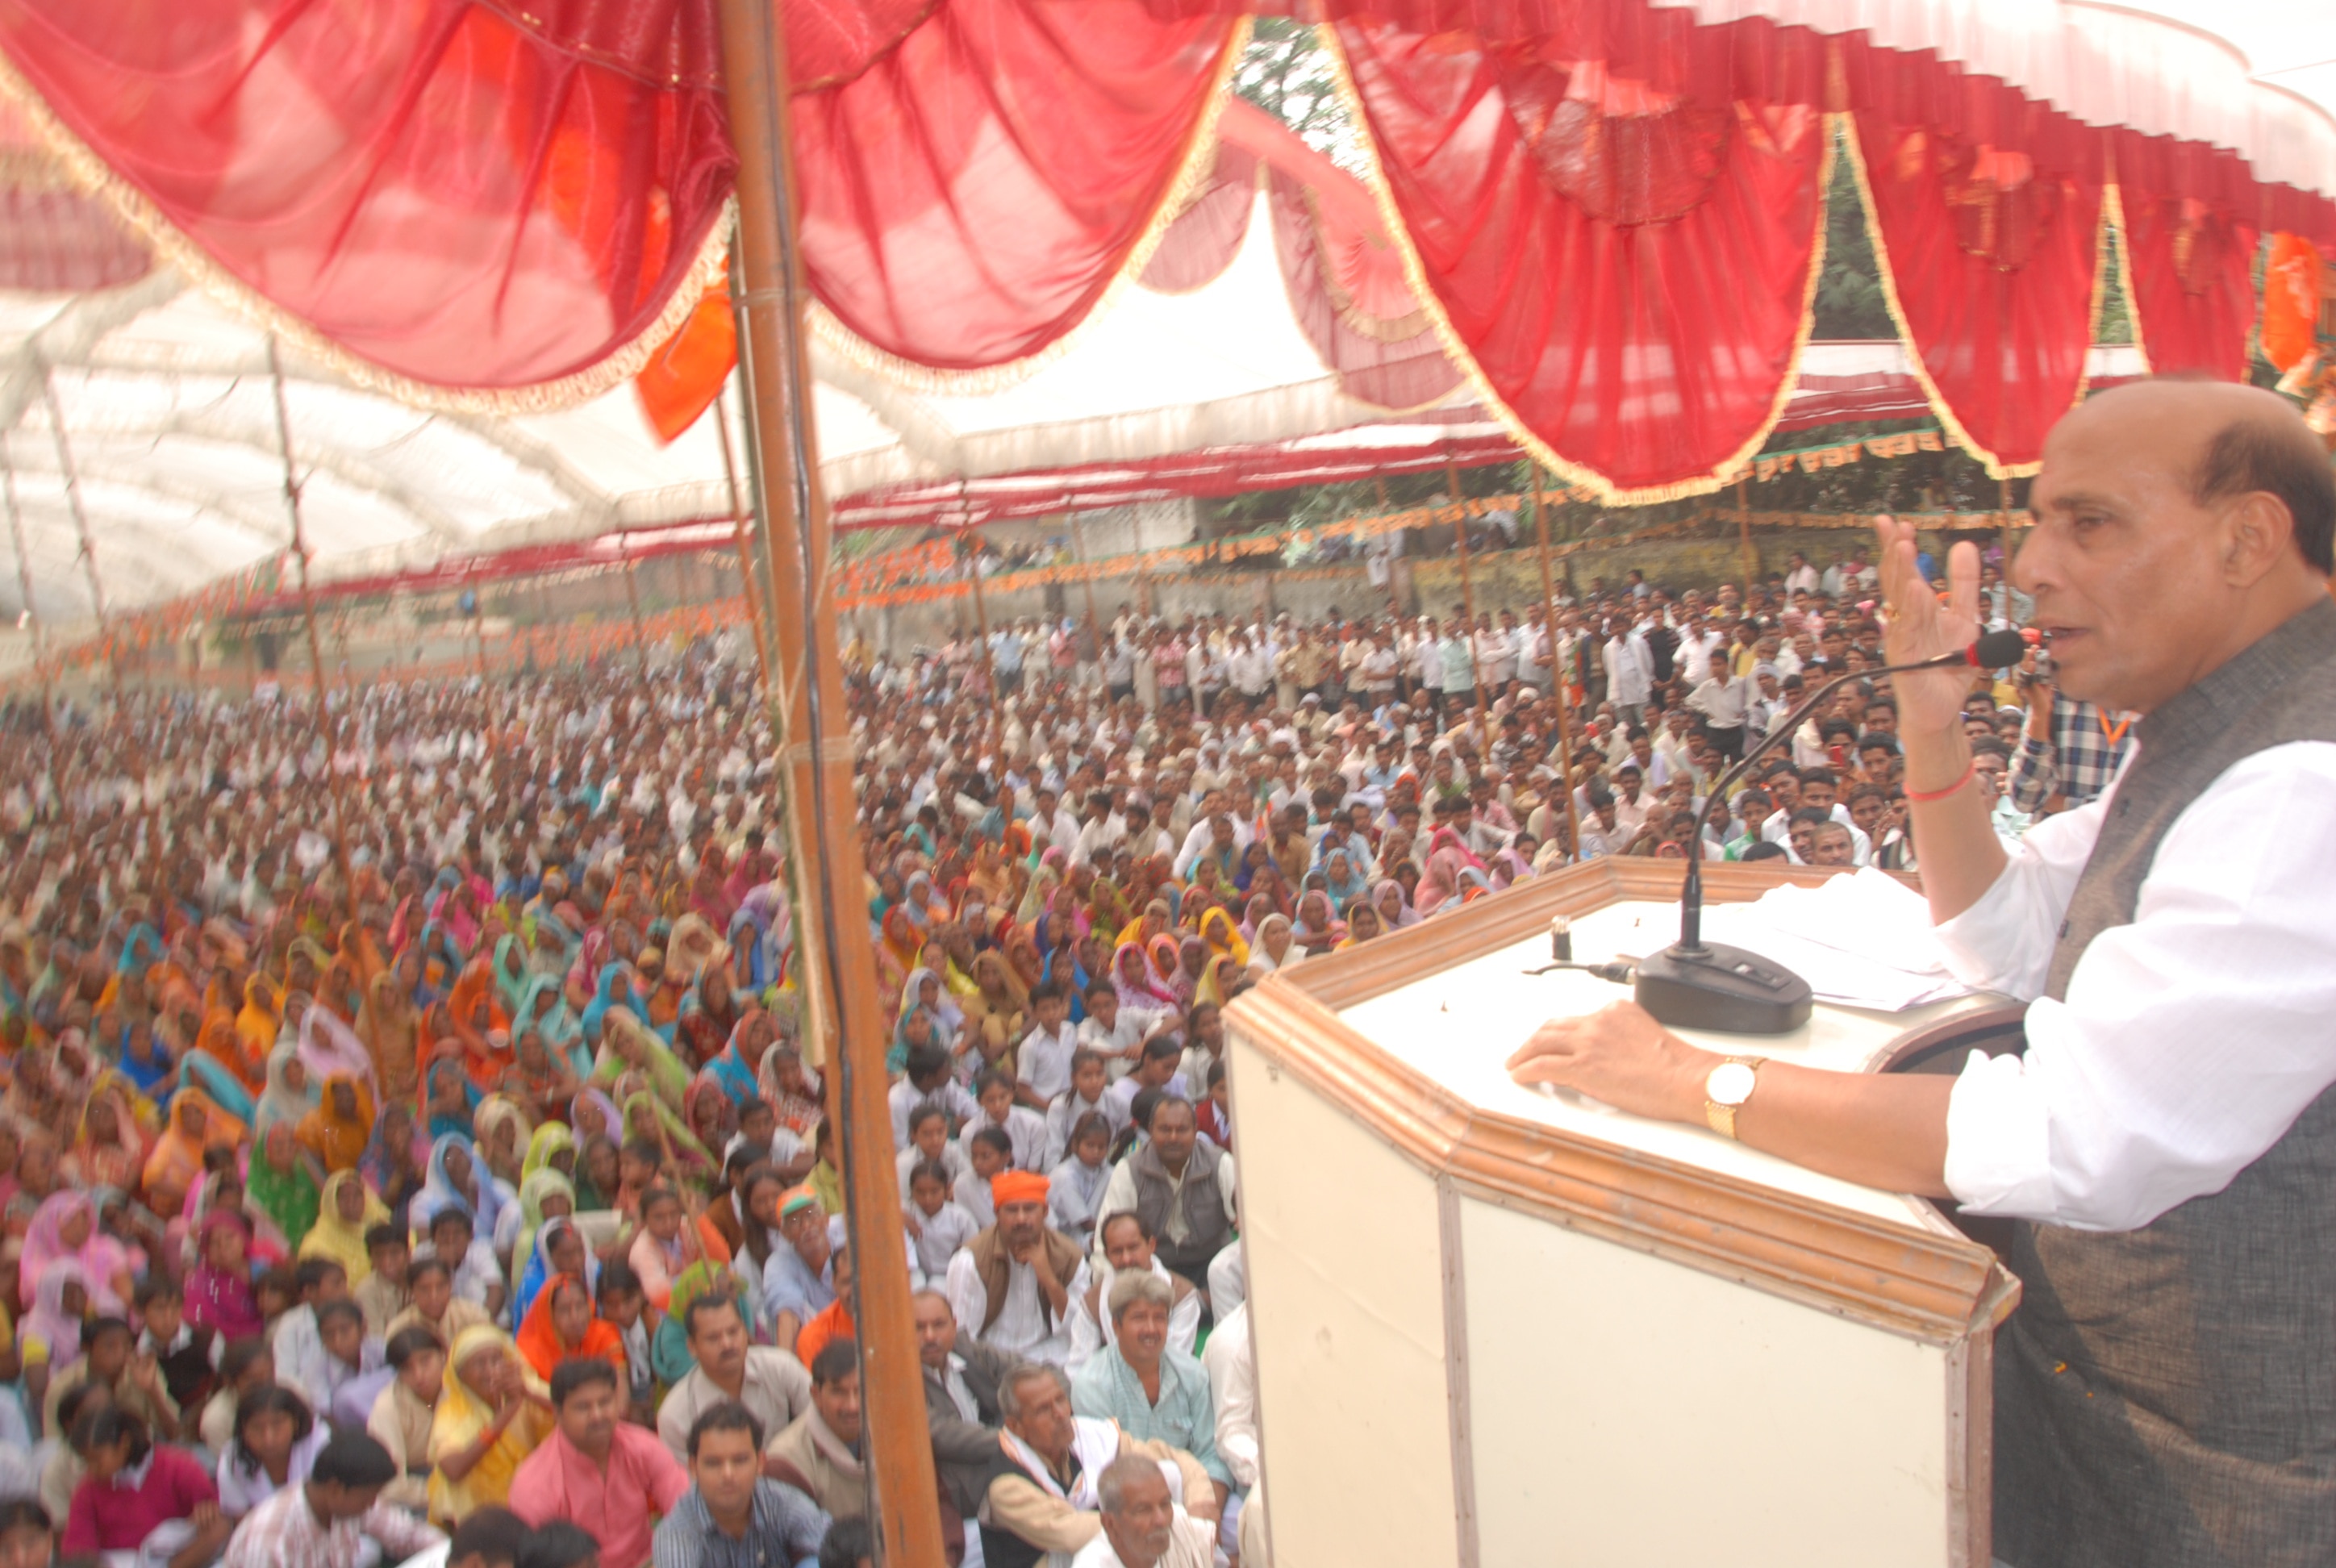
{"points": [[1473, 373]]}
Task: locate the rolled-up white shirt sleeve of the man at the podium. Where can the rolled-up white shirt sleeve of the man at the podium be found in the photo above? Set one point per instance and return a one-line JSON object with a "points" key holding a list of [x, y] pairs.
{"points": [[2192, 1039]]}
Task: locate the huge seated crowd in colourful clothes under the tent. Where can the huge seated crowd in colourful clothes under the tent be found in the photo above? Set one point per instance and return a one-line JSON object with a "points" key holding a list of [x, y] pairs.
{"points": [[408, 1125]]}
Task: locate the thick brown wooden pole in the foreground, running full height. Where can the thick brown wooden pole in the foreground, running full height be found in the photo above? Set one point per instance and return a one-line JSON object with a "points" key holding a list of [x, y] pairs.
{"points": [[833, 927]]}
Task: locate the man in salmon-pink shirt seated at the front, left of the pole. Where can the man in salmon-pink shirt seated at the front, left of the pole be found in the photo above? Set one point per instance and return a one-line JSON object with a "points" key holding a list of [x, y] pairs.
{"points": [[597, 1471]]}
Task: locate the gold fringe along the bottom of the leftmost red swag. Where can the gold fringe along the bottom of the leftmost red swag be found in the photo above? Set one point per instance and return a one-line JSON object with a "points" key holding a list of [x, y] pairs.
{"points": [[176, 249]]}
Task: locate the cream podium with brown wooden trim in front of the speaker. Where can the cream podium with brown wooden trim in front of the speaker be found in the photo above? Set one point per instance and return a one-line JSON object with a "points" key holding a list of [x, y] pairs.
{"points": [[1499, 1326]]}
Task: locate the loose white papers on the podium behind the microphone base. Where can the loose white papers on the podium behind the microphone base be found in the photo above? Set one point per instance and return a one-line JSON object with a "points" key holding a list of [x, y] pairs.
{"points": [[1858, 941]]}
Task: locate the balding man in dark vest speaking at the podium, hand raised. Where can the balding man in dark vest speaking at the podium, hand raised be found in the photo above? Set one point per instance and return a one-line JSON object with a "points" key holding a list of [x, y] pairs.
{"points": [[2167, 1392]]}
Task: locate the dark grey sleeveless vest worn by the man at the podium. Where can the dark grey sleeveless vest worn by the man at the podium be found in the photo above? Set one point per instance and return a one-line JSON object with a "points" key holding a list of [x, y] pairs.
{"points": [[2169, 1396]]}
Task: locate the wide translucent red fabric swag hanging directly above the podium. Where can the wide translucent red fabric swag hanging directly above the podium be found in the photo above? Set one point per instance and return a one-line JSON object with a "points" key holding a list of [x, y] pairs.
{"points": [[1618, 218]]}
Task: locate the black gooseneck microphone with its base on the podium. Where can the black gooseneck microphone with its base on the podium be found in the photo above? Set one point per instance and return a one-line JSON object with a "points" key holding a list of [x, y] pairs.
{"points": [[1709, 985]]}
